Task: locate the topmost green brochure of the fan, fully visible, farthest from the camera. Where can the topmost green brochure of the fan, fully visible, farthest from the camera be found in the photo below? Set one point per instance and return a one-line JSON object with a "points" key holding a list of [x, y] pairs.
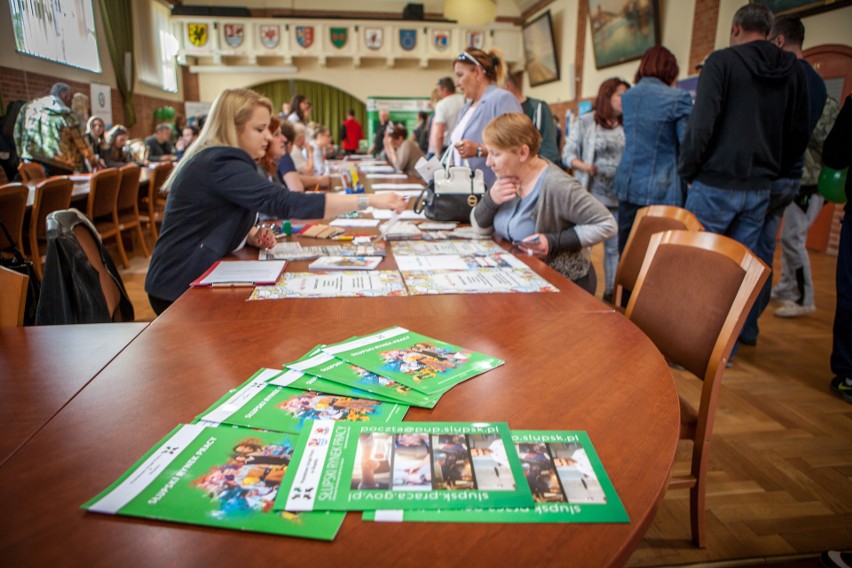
{"points": [[422, 363]]}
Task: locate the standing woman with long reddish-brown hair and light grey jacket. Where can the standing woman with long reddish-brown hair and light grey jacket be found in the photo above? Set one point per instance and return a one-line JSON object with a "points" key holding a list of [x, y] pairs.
{"points": [[593, 151]]}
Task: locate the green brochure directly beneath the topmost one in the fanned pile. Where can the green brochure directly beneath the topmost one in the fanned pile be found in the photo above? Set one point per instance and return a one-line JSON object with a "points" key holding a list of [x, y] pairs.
{"points": [[331, 368]]}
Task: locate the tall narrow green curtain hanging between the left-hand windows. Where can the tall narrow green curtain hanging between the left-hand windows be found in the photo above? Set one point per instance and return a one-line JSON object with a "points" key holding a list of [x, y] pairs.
{"points": [[118, 28]]}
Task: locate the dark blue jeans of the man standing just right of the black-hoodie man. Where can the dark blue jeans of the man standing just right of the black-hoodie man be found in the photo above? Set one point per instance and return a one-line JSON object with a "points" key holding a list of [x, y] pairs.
{"points": [[781, 194]]}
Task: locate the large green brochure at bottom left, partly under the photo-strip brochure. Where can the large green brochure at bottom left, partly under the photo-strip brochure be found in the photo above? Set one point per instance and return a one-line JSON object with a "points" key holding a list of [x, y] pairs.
{"points": [[218, 477]]}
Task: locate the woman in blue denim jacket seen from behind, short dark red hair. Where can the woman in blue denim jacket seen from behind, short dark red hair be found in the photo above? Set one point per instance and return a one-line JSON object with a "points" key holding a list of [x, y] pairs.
{"points": [[655, 117]]}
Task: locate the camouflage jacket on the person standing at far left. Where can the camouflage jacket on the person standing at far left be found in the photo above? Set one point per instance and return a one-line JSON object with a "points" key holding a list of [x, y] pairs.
{"points": [[49, 132]]}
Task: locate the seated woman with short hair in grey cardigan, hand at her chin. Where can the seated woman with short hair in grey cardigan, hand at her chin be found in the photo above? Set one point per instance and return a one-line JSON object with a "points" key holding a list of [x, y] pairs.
{"points": [[536, 205]]}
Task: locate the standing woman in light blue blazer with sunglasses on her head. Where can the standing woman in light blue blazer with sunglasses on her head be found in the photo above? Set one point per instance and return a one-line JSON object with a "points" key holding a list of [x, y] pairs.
{"points": [[477, 75]]}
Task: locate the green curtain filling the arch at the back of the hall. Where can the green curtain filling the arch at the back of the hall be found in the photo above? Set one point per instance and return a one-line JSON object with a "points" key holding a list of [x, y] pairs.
{"points": [[330, 103]]}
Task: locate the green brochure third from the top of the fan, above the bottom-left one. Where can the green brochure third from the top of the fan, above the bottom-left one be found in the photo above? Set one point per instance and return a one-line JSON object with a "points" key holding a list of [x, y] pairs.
{"points": [[264, 406]]}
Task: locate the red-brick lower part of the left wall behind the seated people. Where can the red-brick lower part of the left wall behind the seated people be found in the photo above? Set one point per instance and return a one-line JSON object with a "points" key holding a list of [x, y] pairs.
{"points": [[19, 84]]}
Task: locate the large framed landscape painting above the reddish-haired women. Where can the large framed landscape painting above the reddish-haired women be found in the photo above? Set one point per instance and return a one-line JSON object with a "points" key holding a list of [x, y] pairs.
{"points": [[622, 30]]}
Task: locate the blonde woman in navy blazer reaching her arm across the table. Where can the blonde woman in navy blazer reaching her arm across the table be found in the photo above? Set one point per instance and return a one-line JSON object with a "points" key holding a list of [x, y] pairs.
{"points": [[215, 195]]}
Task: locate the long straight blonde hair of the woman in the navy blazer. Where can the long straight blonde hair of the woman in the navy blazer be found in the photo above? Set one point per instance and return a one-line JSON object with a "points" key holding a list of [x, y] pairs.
{"points": [[231, 110]]}
